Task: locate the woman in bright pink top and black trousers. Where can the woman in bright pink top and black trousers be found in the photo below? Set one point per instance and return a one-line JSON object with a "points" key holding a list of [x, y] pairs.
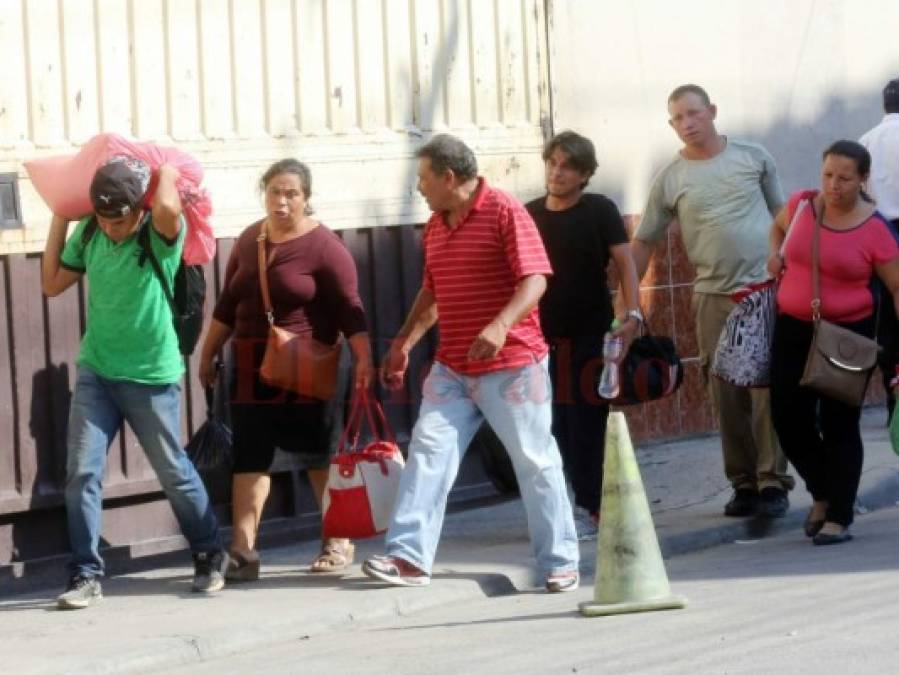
{"points": [[821, 435]]}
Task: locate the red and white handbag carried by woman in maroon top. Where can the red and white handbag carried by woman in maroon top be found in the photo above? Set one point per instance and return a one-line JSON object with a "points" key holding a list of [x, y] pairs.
{"points": [[362, 482]]}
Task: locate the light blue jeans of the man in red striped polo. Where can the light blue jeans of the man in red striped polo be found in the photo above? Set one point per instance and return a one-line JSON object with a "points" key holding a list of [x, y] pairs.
{"points": [[517, 404]]}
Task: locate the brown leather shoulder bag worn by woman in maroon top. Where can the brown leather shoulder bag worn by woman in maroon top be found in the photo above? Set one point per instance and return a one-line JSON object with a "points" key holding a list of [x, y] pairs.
{"points": [[296, 363]]}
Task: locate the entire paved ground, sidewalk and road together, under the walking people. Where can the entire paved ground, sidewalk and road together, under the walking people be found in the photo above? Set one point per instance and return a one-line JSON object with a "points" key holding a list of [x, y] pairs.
{"points": [[743, 601]]}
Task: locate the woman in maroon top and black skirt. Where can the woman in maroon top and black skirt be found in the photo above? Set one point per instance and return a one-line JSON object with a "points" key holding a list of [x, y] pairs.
{"points": [[313, 286]]}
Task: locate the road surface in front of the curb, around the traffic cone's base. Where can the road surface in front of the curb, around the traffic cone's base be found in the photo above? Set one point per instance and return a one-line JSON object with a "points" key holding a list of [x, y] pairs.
{"points": [[778, 605]]}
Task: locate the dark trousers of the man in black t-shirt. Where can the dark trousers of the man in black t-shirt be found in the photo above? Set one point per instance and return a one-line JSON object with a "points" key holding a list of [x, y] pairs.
{"points": [[579, 415]]}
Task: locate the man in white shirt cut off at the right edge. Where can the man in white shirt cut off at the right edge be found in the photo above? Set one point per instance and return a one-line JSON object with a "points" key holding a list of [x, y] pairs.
{"points": [[883, 185]]}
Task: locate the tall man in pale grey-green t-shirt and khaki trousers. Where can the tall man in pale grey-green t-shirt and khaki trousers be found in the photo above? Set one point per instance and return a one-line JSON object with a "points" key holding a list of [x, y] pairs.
{"points": [[724, 193]]}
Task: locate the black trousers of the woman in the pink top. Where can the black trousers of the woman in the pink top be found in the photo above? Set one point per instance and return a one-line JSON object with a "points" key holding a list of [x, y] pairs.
{"points": [[819, 435]]}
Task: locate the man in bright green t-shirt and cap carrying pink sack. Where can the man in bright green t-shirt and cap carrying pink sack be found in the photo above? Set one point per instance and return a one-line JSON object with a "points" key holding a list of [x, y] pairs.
{"points": [[129, 366]]}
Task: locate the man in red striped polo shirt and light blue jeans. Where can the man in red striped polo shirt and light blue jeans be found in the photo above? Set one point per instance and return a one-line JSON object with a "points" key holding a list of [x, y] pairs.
{"points": [[485, 270]]}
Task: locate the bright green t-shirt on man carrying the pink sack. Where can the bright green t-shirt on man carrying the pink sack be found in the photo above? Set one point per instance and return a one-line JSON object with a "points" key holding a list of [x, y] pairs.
{"points": [[130, 335]]}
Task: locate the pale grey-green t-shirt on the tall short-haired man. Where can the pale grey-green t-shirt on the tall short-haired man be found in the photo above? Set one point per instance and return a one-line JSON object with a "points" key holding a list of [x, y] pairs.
{"points": [[725, 206]]}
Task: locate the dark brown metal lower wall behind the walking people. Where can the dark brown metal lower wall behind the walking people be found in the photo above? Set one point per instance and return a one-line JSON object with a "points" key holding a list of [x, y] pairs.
{"points": [[38, 346]]}
